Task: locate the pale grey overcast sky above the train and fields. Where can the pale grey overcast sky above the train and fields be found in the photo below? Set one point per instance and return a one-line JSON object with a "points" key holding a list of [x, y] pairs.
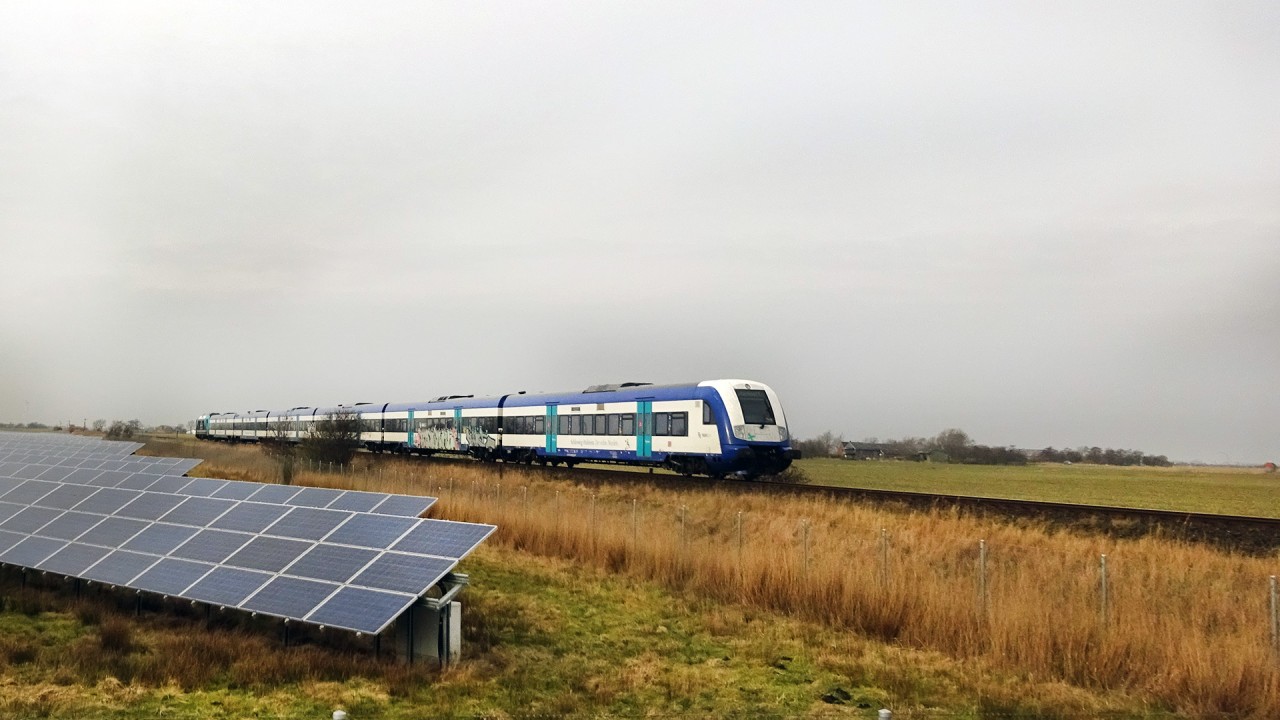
{"points": [[1045, 224]]}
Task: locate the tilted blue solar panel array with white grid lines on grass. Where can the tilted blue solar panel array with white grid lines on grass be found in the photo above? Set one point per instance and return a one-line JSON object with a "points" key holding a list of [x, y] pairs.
{"points": [[342, 559]]}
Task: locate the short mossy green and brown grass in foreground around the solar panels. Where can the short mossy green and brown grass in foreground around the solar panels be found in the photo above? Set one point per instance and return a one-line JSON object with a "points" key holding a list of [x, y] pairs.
{"points": [[546, 639]]}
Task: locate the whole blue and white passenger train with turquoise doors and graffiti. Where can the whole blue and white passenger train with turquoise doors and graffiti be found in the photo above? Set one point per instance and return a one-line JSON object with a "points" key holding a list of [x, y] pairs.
{"points": [[710, 429]]}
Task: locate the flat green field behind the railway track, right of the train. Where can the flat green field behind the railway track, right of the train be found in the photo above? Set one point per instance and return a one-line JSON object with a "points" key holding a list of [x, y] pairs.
{"points": [[1227, 491]]}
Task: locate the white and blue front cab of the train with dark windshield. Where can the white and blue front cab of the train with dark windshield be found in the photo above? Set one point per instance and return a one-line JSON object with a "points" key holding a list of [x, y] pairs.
{"points": [[755, 438]]}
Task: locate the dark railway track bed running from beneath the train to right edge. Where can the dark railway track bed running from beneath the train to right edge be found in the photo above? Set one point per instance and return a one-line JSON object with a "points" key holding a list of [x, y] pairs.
{"points": [[1250, 535]]}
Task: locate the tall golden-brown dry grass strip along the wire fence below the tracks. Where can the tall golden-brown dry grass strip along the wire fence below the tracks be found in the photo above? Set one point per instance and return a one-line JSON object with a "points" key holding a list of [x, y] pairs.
{"points": [[1185, 626]]}
